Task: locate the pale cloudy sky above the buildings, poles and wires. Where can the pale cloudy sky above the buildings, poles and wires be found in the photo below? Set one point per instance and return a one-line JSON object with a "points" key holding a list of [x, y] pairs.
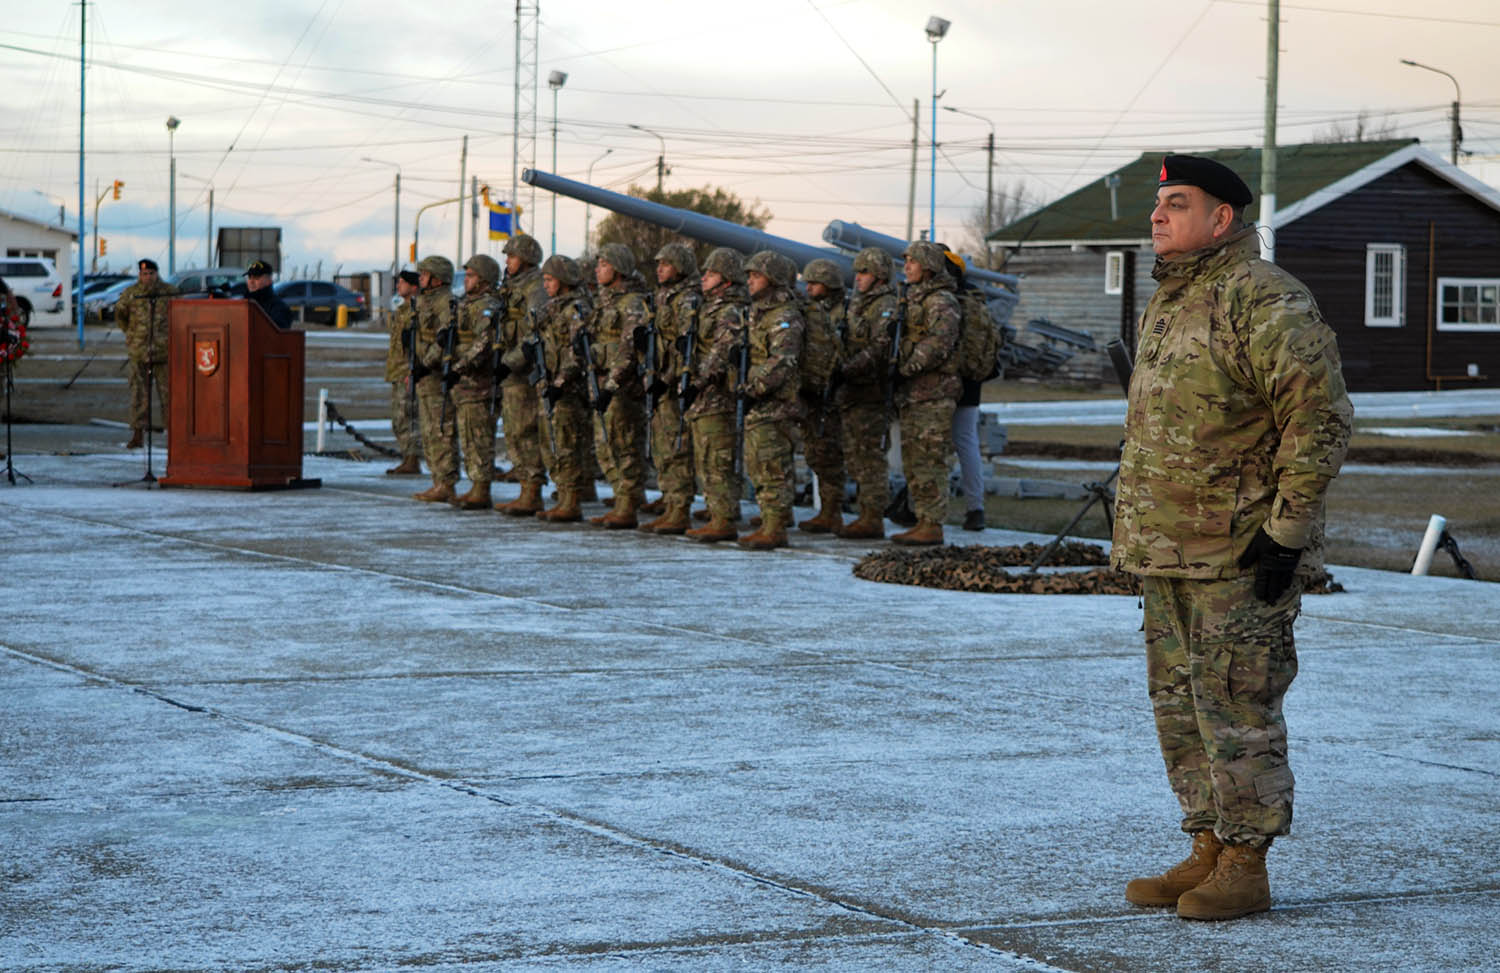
{"points": [[803, 106]]}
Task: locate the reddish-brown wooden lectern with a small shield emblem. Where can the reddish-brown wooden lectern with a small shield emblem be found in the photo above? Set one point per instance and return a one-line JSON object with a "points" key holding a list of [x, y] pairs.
{"points": [[235, 398]]}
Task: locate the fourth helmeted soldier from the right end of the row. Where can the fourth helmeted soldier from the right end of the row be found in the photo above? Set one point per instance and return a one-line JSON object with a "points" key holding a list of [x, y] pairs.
{"points": [[776, 343]]}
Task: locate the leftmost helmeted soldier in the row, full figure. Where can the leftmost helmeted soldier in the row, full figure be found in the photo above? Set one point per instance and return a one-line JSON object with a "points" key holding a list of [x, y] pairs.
{"points": [[437, 313]]}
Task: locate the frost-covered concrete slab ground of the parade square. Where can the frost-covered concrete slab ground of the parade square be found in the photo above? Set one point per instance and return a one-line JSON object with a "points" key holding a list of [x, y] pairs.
{"points": [[337, 729]]}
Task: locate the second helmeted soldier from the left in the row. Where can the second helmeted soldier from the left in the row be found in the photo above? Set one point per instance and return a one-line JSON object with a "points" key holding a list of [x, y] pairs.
{"points": [[473, 367]]}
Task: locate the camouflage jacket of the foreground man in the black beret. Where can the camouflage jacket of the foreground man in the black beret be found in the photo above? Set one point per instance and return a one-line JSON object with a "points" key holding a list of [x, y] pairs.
{"points": [[1238, 418]]}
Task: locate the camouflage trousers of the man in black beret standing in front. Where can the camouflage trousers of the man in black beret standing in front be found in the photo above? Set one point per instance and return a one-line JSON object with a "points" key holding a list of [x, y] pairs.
{"points": [[1219, 663]]}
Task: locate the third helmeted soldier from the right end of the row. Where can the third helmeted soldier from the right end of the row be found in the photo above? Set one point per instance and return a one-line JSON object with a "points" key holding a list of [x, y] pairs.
{"points": [[823, 352]]}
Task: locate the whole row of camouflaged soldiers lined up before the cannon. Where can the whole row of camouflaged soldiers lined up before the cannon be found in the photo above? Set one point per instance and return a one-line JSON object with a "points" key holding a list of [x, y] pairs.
{"points": [[715, 376]]}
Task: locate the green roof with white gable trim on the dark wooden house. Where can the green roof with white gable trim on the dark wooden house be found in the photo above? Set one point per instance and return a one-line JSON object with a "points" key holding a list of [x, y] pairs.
{"points": [[1313, 173]]}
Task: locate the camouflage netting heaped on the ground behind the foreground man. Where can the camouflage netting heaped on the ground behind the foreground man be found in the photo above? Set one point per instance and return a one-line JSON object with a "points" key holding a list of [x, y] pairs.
{"points": [[985, 569]]}
